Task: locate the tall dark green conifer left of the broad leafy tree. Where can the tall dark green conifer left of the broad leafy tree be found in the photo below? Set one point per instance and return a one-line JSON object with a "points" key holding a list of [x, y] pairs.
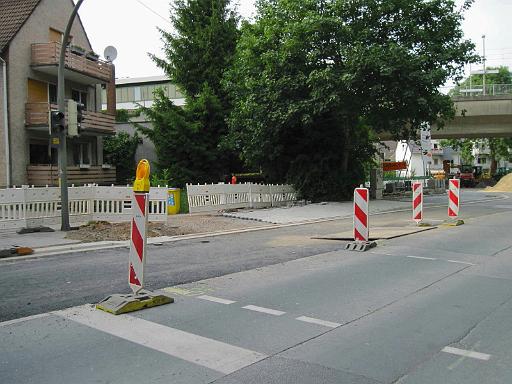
{"points": [[189, 140]]}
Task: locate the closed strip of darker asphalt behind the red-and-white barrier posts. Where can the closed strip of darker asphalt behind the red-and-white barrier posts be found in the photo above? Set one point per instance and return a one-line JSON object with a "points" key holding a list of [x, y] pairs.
{"points": [[55, 282]]}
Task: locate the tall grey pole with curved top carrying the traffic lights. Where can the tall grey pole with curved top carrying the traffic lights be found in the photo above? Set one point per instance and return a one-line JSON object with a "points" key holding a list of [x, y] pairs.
{"points": [[63, 153]]}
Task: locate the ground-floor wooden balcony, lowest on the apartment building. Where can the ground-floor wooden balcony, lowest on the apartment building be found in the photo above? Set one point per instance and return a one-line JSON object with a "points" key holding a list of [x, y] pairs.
{"points": [[41, 175]]}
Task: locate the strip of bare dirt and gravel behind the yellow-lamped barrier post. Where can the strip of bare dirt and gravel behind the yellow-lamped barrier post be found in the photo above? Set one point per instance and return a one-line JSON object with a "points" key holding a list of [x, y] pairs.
{"points": [[176, 225]]}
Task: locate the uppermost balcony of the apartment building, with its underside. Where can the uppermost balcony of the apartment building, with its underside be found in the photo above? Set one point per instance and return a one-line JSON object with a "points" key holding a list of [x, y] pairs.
{"points": [[78, 68]]}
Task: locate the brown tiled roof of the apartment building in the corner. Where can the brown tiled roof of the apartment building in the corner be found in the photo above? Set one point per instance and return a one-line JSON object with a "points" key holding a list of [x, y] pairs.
{"points": [[13, 14]]}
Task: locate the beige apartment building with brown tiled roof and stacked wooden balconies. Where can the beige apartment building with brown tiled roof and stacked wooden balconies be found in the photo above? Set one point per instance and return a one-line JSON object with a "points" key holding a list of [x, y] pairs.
{"points": [[30, 43]]}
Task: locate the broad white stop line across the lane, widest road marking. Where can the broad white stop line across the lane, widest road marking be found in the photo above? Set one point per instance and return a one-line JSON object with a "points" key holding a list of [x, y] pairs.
{"points": [[213, 354]]}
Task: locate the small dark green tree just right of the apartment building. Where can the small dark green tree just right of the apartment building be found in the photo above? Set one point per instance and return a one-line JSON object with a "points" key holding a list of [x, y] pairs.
{"points": [[119, 150]]}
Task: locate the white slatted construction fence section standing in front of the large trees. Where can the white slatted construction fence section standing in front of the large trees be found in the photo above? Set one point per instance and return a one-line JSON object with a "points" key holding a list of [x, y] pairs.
{"points": [[216, 197]]}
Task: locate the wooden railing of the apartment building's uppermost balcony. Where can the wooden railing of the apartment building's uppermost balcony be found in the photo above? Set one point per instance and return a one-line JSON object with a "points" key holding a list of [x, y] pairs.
{"points": [[47, 54]]}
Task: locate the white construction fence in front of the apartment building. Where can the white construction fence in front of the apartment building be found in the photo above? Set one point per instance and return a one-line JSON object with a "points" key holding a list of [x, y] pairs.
{"points": [[41, 206]]}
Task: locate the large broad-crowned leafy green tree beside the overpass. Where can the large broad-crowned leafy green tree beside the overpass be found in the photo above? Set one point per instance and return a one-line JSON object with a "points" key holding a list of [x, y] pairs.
{"points": [[313, 79]]}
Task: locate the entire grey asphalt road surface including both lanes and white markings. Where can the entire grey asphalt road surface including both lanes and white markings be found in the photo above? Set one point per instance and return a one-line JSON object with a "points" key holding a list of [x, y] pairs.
{"points": [[275, 306]]}
